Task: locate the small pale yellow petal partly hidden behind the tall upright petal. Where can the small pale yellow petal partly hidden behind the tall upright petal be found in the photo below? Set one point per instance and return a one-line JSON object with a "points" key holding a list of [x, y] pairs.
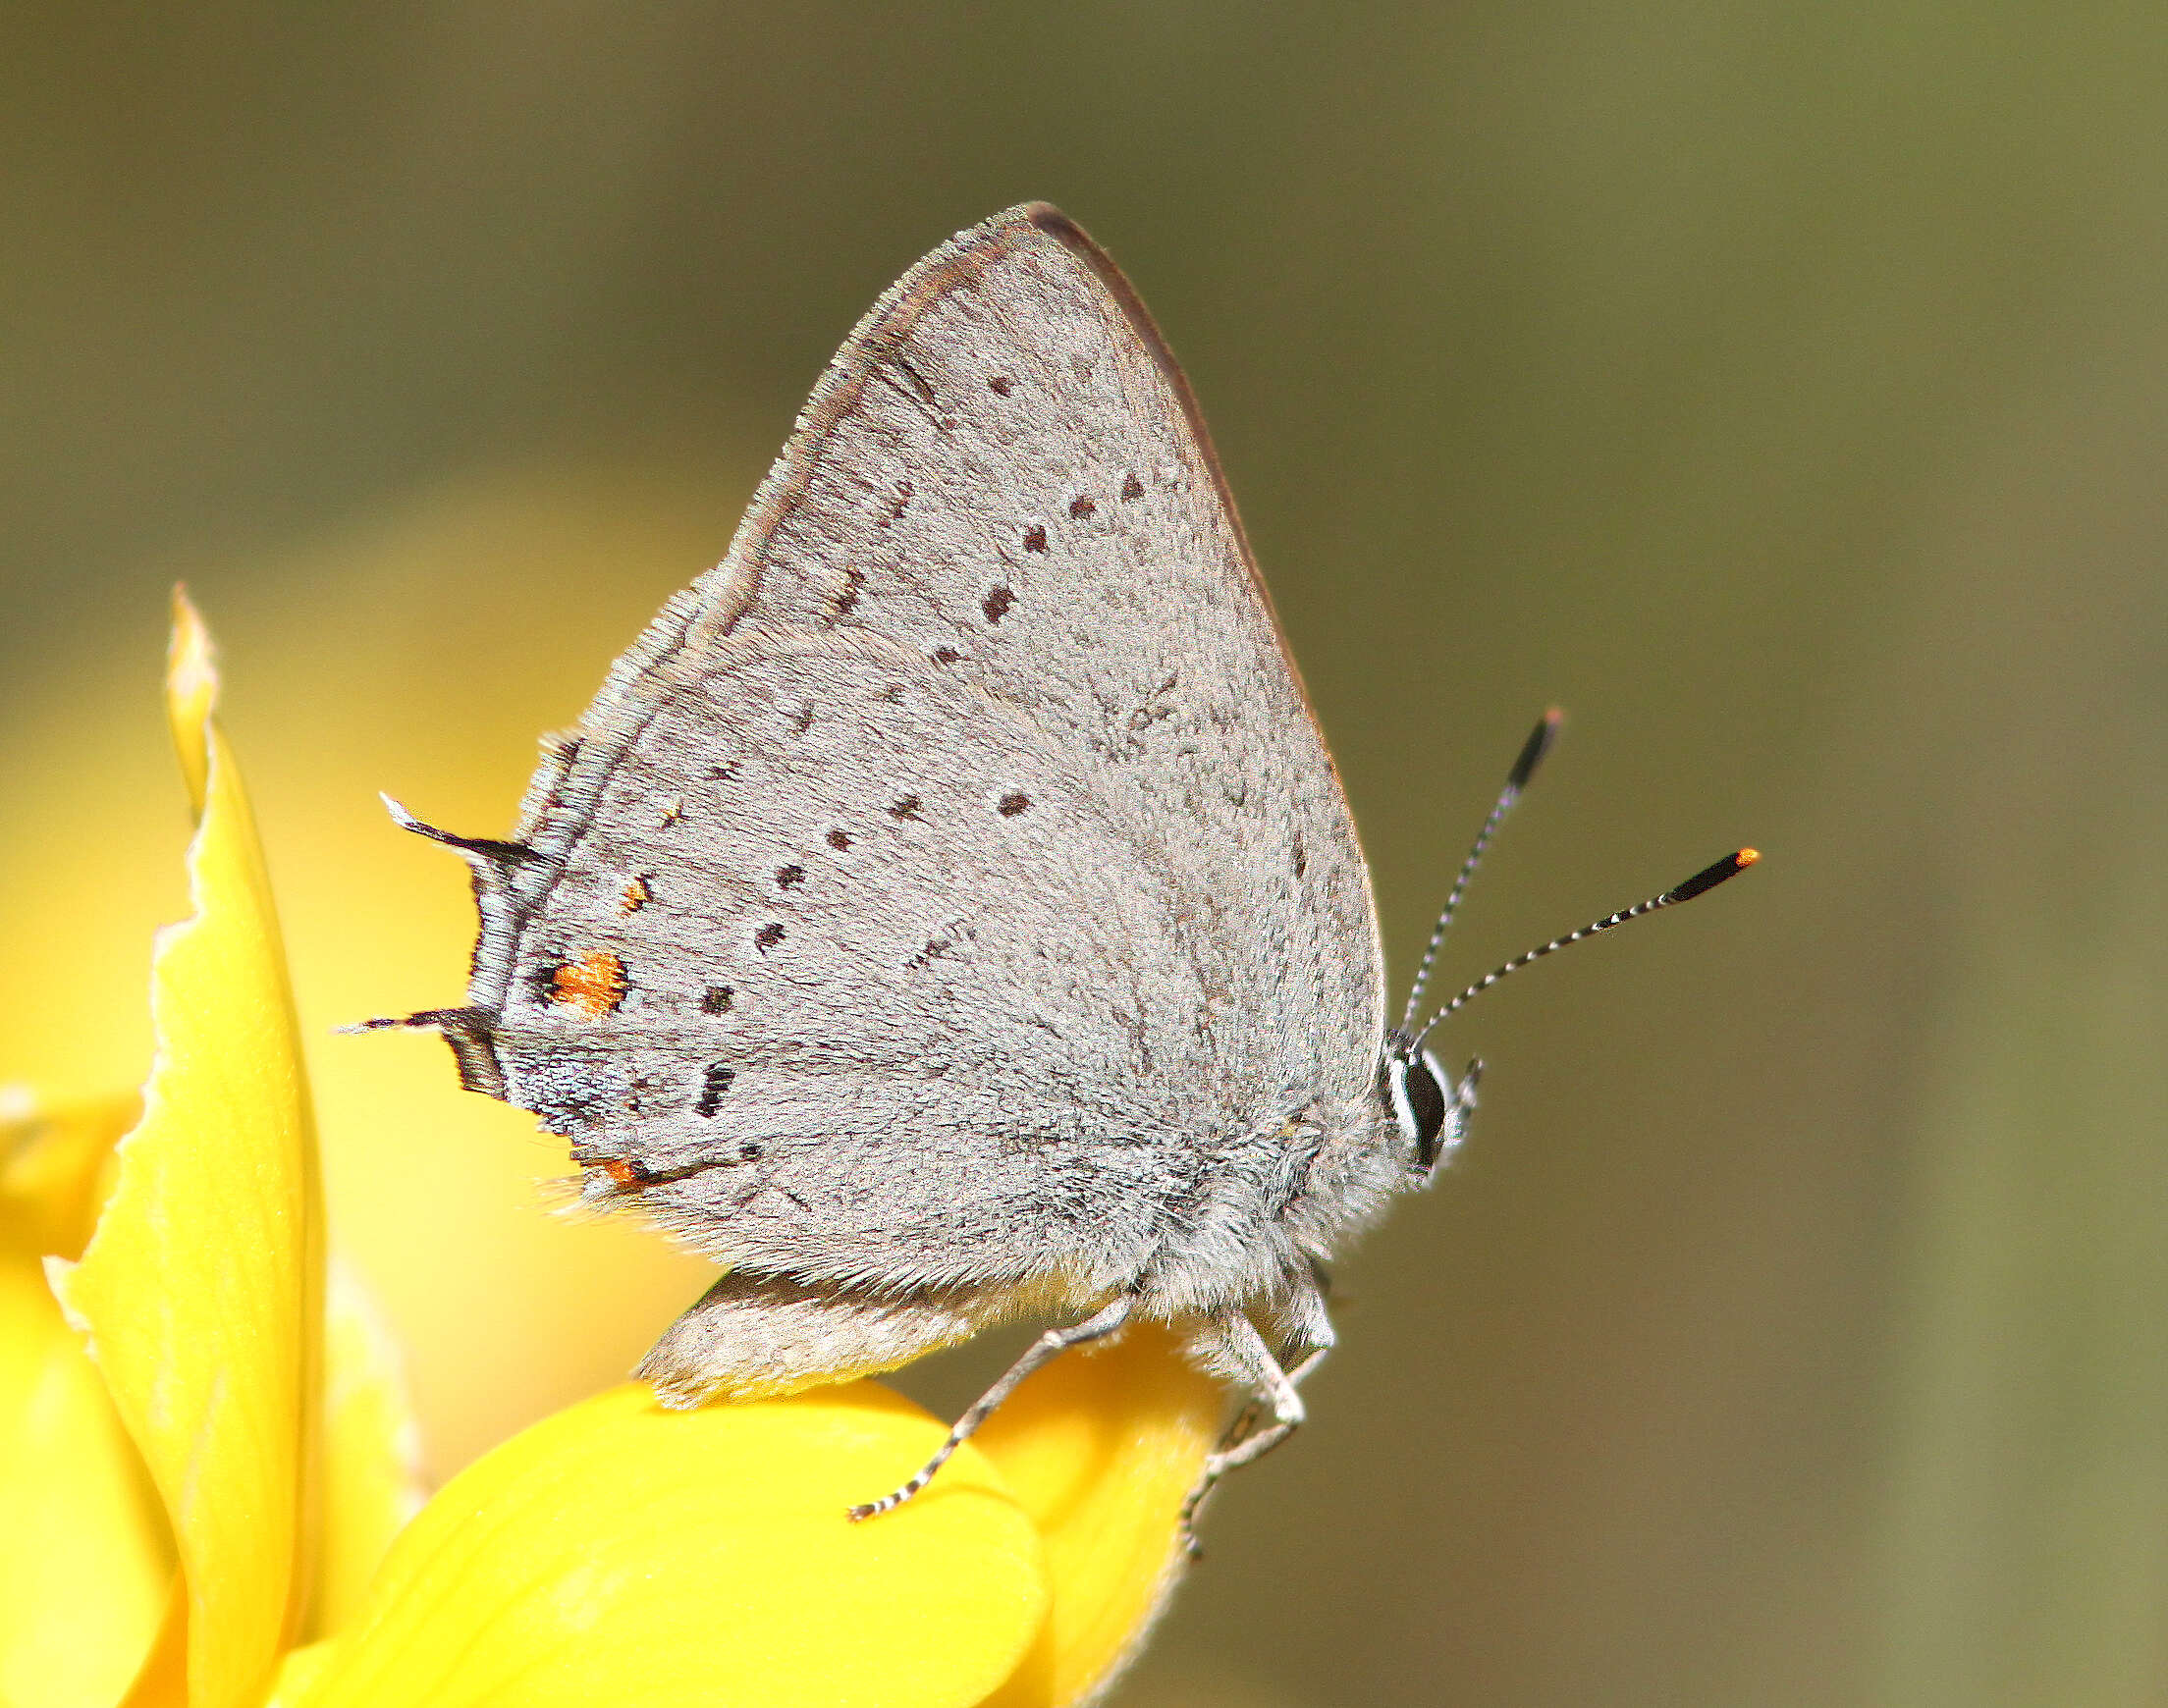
{"points": [[372, 1462]]}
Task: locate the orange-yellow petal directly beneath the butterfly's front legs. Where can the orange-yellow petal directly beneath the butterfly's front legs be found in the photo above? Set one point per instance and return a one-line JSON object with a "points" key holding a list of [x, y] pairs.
{"points": [[1102, 1449]]}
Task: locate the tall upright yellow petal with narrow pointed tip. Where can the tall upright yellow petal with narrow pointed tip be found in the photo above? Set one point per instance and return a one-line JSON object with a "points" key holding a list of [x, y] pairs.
{"points": [[203, 1289]]}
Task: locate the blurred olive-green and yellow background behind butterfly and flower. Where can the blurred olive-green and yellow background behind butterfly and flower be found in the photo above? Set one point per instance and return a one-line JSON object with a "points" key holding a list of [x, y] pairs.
{"points": [[1781, 389]]}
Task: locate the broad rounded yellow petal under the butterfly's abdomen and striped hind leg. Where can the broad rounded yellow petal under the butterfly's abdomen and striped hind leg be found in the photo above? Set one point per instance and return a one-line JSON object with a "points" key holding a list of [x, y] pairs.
{"points": [[623, 1553]]}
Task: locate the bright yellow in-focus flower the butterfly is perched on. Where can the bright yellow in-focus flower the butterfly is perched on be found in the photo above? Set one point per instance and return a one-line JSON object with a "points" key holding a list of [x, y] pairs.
{"points": [[211, 1494]]}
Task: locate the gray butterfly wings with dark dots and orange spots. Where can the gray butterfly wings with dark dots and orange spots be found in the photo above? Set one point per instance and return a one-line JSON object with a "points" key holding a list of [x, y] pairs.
{"points": [[951, 888]]}
